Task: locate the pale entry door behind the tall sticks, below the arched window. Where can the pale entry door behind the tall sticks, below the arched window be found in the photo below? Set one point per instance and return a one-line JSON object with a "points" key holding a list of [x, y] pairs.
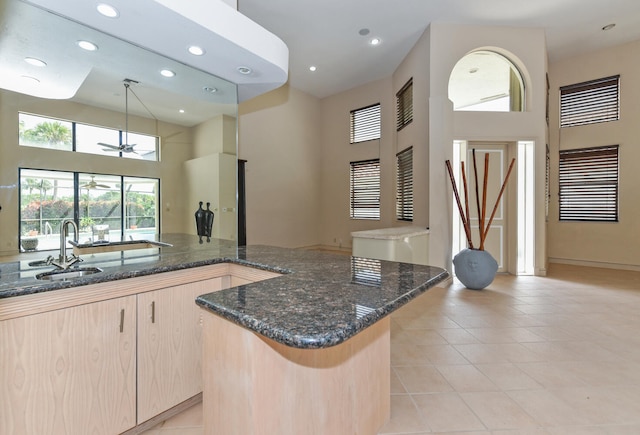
{"points": [[496, 238]]}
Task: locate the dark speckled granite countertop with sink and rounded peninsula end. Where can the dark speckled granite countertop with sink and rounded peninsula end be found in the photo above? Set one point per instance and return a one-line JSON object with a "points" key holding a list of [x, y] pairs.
{"points": [[321, 299]]}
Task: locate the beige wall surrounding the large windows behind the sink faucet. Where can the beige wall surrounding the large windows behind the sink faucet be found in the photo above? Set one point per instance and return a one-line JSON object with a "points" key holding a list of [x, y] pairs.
{"points": [[175, 150]]}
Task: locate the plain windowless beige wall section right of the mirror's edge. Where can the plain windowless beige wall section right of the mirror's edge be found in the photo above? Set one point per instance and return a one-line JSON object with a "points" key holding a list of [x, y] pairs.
{"points": [[279, 136]]}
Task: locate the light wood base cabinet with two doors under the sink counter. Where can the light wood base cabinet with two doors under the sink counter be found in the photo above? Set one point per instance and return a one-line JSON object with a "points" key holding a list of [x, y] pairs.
{"points": [[106, 358]]}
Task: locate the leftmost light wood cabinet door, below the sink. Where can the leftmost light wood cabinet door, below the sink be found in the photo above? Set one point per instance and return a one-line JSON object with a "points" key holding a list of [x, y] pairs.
{"points": [[70, 371]]}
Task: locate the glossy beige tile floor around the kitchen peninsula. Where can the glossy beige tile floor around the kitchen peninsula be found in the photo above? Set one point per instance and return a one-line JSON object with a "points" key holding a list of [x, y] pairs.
{"points": [[558, 355]]}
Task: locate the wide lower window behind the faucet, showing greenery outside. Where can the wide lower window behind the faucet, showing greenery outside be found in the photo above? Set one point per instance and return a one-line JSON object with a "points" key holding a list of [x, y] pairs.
{"points": [[107, 207]]}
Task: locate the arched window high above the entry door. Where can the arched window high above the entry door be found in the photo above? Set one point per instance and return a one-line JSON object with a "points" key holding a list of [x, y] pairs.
{"points": [[486, 81]]}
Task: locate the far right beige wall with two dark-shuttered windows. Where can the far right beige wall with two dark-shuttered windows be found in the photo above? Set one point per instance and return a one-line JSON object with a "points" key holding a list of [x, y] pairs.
{"points": [[600, 244]]}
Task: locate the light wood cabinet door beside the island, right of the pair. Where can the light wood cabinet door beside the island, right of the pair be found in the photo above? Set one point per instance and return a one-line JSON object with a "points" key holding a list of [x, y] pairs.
{"points": [[169, 346]]}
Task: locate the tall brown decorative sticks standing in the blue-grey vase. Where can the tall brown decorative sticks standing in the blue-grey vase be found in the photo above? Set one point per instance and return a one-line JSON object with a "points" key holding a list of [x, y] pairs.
{"points": [[465, 215]]}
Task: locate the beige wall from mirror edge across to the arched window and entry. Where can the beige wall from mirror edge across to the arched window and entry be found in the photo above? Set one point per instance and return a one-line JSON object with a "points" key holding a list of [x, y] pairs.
{"points": [[432, 132]]}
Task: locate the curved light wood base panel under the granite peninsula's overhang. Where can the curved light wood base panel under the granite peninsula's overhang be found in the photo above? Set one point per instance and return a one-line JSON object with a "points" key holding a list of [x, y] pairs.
{"points": [[256, 386]]}
